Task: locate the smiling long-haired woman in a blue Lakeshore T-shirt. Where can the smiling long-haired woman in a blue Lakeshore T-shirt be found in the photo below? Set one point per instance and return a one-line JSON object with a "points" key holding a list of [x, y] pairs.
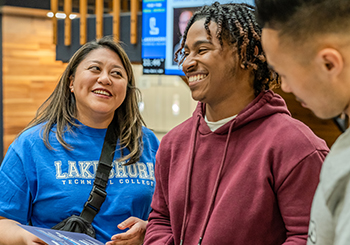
{"points": [[48, 171]]}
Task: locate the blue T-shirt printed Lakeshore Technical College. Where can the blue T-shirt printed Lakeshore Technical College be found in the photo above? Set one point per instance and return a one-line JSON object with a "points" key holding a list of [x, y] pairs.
{"points": [[46, 186]]}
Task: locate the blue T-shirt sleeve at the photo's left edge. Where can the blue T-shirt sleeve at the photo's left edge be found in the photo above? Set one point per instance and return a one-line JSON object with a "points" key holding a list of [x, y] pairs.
{"points": [[15, 193]]}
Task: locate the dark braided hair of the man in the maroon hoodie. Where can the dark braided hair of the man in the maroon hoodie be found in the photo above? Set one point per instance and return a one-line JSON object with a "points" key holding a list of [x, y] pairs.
{"points": [[236, 24]]}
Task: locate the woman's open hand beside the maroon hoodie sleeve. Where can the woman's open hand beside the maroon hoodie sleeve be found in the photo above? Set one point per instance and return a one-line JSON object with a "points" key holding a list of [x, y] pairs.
{"points": [[135, 234]]}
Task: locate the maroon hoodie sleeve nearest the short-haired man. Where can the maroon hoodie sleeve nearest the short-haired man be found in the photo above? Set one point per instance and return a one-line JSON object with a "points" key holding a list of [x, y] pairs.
{"points": [[295, 196]]}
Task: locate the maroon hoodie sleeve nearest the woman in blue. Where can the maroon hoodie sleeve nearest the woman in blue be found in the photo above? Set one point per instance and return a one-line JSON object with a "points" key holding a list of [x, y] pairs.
{"points": [[159, 227]]}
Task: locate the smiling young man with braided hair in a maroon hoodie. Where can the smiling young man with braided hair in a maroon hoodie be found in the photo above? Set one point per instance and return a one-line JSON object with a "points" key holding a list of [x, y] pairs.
{"points": [[241, 170]]}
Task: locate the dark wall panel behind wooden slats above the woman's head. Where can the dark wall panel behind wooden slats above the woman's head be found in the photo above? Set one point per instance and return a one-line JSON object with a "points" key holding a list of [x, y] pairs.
{"points": [[64, 53]]}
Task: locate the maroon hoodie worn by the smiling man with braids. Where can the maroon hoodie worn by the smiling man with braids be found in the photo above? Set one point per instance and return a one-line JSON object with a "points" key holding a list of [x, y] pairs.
{"points": [[249, 182]]}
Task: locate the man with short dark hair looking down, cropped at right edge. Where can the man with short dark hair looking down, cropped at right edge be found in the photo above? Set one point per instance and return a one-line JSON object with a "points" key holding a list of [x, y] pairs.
{"points": [[308, 44]]}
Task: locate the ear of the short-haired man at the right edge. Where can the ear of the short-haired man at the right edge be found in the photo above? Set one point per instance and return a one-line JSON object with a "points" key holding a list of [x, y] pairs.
{"points": [[331, 61]]}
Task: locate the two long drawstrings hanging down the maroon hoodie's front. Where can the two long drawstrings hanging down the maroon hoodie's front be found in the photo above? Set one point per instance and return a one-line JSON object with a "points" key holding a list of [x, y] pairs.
{"points": [[216, 185]]}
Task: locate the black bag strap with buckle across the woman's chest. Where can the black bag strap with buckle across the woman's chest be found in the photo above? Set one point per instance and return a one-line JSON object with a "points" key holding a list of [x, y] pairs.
{"points": [[98, 193]]}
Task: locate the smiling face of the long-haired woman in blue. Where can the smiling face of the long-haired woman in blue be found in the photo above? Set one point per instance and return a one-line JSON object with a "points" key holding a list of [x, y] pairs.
{"points": [[99, 86]]}
